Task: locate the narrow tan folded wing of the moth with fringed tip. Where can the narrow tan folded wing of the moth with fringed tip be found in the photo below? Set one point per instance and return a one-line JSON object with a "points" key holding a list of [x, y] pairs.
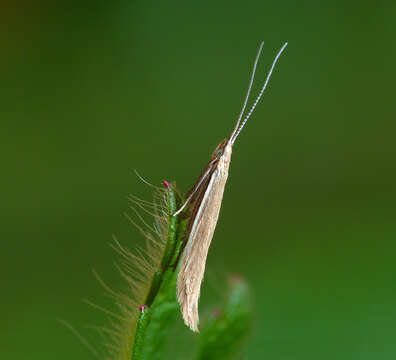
{"points": [[192, 266]]}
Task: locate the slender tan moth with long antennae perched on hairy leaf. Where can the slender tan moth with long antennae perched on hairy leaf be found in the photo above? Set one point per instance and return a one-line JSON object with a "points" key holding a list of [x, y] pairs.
{"points": [[205, 198]]}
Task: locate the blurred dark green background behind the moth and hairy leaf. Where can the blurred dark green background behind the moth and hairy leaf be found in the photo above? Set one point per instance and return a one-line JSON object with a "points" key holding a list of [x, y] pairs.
{"points": [[92, 90]]}
